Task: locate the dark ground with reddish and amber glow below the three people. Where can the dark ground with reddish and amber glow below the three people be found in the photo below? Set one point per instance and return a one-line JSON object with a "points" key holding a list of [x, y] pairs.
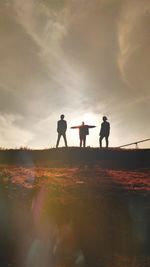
{"points": [[67, 210]]}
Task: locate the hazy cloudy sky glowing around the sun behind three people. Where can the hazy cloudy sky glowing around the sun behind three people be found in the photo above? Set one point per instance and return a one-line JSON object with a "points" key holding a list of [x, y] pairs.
{"points": [[81, 58]]}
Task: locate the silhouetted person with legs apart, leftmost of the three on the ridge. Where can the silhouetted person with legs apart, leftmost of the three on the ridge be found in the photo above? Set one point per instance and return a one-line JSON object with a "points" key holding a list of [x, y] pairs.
{"points": [[61, 129]]}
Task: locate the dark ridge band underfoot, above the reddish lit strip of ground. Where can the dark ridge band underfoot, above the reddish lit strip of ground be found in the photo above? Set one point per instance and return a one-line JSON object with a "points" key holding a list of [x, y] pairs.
{"points": [[110, 157]]}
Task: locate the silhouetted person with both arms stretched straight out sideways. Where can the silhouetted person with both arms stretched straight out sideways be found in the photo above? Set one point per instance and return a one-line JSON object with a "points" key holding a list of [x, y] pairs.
{"points": [[83, 132]]}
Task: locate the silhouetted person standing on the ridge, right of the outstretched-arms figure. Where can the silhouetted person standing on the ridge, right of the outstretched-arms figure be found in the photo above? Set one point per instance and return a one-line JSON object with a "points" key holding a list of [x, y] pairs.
{"points": [[104, 131]]}
